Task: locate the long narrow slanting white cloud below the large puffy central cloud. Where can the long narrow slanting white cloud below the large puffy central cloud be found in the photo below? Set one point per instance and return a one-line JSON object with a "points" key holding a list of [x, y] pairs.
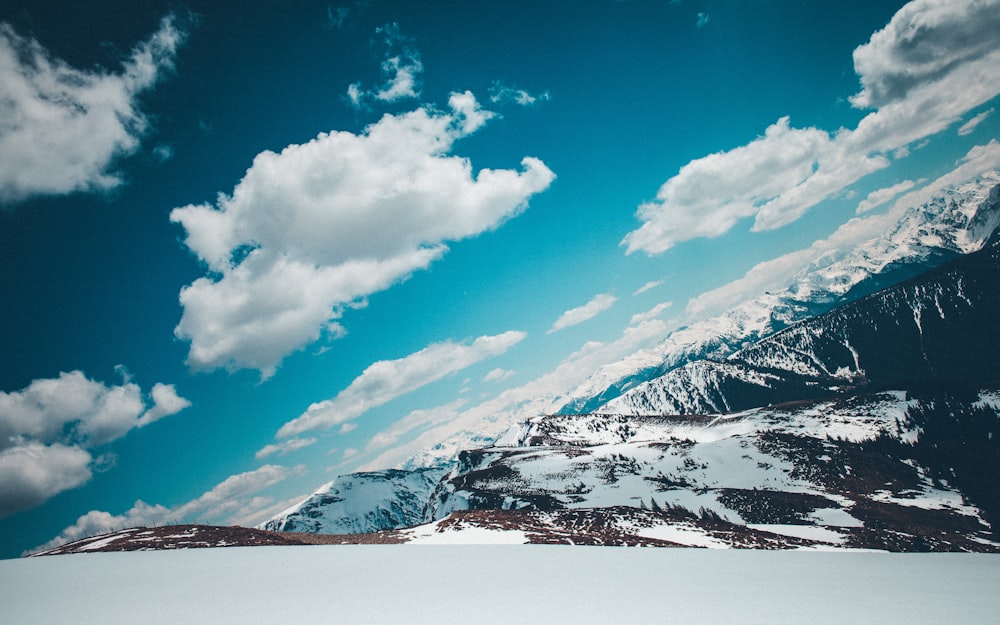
{"points": [[386, 380]]}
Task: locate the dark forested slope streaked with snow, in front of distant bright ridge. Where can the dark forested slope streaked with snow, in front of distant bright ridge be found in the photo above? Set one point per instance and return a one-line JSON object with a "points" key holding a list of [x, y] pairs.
{"points": [[939, 327]]}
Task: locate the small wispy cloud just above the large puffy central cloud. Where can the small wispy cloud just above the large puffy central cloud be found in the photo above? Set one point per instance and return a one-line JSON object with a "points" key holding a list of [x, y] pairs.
{"points": [[402, 70]]}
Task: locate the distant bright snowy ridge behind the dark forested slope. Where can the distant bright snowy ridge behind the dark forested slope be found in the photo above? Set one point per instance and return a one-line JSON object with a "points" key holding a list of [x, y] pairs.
{"points": [[958, 220]]}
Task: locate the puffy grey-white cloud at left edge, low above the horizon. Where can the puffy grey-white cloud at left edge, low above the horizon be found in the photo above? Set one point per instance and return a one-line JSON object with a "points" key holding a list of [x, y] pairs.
{"points": [[47, 429]]}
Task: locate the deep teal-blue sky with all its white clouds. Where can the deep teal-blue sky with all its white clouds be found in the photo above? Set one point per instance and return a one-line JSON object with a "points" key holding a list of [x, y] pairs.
{"points": [[247, 247]]}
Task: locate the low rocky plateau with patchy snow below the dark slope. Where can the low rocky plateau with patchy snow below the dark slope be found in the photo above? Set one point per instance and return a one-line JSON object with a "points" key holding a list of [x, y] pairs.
{"points": [[863, 472]]}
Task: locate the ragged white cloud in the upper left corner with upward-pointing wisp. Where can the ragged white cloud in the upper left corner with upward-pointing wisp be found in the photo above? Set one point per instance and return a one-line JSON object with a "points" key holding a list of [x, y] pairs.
{"points": [[62, 128]]}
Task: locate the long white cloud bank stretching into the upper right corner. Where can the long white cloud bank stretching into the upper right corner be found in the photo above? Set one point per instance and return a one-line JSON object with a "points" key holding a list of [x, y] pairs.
{"points": [[922, 73]]}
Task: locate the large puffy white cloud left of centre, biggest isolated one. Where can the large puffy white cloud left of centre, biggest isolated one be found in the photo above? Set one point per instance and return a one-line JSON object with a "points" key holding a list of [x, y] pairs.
{"points": [[315, 229]]}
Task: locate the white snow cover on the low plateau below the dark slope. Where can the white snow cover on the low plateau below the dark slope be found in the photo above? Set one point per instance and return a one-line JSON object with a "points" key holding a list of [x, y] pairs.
{"points": [[600, 460]]}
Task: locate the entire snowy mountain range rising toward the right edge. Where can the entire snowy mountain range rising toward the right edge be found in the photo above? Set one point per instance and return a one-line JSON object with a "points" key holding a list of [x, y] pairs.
{"points": [[856, 407]]}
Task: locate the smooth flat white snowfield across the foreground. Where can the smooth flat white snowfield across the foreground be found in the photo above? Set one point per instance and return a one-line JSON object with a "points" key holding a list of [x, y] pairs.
{"points": [[483, 584]]}
